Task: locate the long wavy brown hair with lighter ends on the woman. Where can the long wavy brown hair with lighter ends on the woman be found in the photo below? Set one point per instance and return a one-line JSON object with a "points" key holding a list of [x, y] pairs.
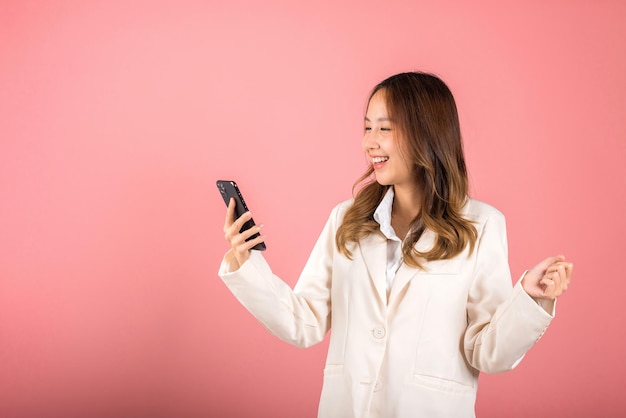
{"points": [[423, 110]]}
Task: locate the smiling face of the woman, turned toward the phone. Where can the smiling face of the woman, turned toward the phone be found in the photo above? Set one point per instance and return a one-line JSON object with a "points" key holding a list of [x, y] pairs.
{"points": [[382, 145]]}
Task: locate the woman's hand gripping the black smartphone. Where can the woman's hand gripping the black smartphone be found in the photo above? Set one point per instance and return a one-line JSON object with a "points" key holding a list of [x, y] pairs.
{"points": [[239, 247]]}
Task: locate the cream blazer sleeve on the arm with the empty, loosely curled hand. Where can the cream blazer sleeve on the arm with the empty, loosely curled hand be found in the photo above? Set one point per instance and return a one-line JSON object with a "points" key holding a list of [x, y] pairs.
{"points": [[503, 322]]}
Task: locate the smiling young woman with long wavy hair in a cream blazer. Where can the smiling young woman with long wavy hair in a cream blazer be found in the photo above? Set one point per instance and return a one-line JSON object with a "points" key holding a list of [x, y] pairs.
{"points": [[411, 275]]}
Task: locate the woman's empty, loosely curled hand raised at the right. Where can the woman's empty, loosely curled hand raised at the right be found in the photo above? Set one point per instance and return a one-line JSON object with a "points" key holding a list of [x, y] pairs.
{"points": [[548, 279]]}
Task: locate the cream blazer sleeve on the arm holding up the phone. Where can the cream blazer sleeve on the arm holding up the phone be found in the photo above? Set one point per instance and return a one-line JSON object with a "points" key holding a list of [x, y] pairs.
{"points": [[299, 316]]}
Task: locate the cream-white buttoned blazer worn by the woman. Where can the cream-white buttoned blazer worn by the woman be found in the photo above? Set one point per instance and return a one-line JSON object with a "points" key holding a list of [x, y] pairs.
{"points": [[416, 352]]}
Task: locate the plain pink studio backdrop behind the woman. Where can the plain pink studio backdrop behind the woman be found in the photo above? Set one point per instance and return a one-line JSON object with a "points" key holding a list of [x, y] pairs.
{"points": [[117, 117]]}
